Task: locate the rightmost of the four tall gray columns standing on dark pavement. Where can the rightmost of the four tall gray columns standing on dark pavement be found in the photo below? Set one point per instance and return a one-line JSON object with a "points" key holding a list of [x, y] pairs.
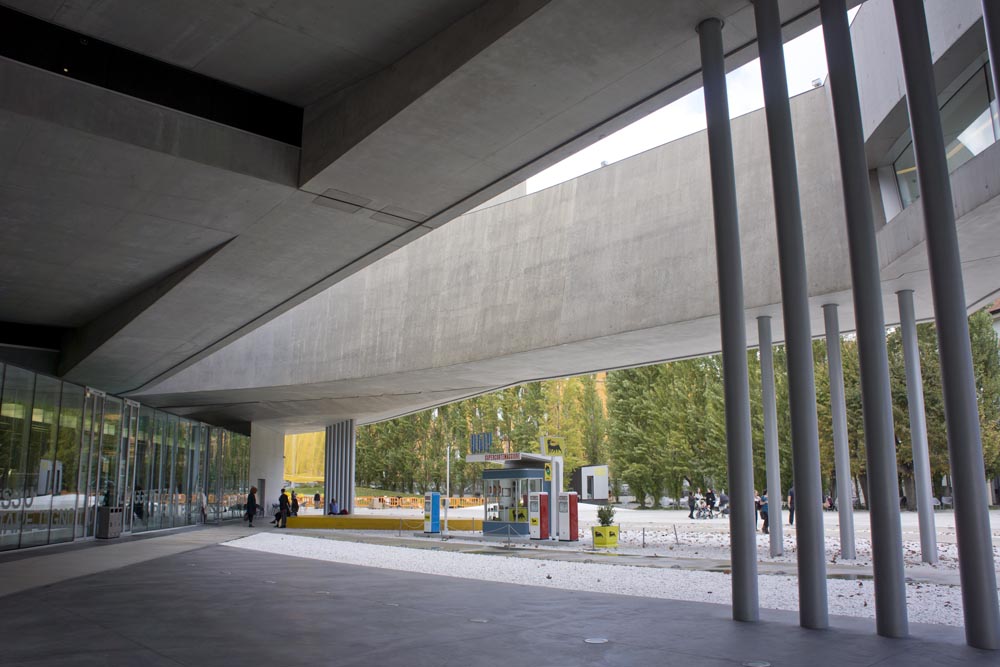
{"points": [[965, 450]]}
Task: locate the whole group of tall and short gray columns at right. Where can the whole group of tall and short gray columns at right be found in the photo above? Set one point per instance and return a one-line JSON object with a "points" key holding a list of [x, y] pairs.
{"points": [[979, 593]]}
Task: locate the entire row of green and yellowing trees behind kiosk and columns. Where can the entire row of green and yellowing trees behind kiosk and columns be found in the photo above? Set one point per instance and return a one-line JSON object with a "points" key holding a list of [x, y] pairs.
{"points": [[661, 427]]}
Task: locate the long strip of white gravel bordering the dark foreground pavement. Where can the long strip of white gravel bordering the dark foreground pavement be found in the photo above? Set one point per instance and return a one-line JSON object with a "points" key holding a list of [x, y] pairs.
{"points": [[927, 603]]}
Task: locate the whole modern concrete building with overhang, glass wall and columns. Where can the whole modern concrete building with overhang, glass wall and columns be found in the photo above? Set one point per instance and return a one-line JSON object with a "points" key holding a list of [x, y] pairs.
{"points": [[227, 221]]}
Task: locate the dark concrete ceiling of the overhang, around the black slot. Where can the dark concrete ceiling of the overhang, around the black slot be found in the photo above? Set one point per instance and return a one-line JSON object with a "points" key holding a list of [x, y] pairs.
{"points": [[154, 237]]}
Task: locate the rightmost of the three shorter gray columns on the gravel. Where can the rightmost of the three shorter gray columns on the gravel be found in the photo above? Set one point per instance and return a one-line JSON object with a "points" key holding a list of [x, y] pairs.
{"points": [[918, 427]]}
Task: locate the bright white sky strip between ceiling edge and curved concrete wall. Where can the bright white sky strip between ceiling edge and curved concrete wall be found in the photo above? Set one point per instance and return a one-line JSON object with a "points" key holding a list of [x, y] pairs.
{"points": [[805, 61]]}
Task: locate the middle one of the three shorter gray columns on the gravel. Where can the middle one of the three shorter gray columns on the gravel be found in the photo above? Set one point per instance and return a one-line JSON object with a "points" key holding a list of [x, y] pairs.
{"points": [[841, 453]]}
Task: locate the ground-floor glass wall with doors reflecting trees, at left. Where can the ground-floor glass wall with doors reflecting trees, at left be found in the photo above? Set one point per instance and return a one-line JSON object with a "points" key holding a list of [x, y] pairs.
{"points": [[66, 450]]}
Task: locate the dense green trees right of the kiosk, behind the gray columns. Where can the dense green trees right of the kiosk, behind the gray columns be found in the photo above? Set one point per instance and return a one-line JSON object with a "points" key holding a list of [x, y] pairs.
{"points": [[667, 422]]}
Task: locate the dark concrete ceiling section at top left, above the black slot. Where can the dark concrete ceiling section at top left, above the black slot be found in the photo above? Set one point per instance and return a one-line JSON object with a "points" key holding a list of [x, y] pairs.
{"points": [[297, 51]]}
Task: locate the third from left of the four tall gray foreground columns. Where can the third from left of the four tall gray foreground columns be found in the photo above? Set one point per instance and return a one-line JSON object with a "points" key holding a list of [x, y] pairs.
{"points": [[880, 442]]}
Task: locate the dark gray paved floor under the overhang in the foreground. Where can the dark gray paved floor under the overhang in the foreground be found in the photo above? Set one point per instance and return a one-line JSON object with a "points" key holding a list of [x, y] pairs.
{"points": [[212, 605]]}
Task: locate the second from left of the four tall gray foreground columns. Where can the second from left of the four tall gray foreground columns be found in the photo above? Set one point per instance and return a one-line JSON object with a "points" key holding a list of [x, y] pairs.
{"points": [[798, 334]]}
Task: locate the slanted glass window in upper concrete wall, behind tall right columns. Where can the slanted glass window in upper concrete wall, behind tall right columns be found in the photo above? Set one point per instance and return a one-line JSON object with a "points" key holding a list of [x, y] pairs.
{"points": [[970, 125]]}
